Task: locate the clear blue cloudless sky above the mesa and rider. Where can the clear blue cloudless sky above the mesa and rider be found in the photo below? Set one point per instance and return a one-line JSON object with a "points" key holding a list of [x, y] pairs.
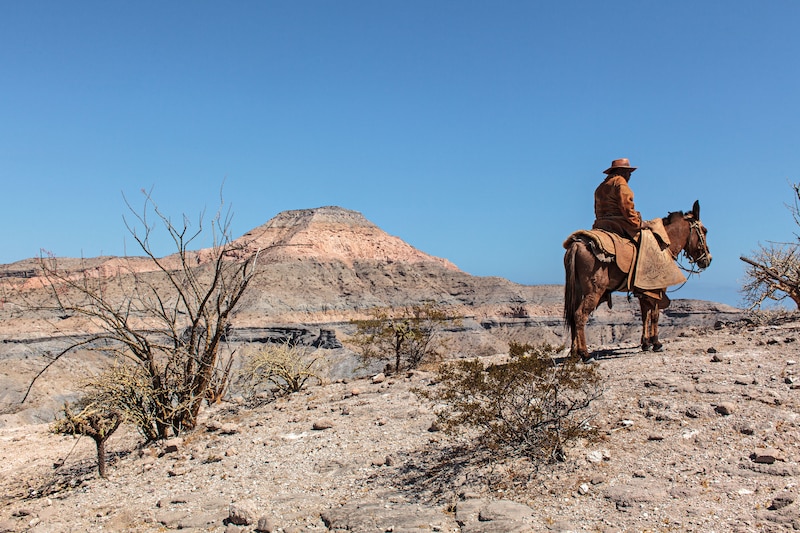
{"points": [[475, 131]]}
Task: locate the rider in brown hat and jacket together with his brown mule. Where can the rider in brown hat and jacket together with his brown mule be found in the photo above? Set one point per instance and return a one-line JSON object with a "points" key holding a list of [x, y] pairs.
{"points": [[623, 253]]}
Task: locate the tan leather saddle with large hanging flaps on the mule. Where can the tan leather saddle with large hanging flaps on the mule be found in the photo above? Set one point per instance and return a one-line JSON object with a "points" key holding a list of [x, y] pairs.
{"points": [[650, 268]]}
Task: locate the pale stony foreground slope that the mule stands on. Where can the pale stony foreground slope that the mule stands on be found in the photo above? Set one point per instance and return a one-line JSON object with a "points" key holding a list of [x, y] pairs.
{"points": [[702, 437]]}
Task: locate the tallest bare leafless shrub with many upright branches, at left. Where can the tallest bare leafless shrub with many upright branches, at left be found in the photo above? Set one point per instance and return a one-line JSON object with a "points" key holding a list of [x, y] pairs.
{"points": [[168, 321]]}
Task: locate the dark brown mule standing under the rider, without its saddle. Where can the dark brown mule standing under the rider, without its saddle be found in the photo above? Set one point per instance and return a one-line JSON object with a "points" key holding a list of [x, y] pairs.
{"points": [[589, 281]]}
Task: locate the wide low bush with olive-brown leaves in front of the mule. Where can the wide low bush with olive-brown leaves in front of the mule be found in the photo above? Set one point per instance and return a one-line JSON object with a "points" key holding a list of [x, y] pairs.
{"points": [[532, 406]]}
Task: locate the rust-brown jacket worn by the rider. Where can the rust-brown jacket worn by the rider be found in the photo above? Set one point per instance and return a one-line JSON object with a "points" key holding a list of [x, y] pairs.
{"points": [[613, 207]]}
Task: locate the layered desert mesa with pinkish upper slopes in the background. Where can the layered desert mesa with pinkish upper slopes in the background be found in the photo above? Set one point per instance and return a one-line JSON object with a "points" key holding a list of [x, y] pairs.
{"points": [[320, 268]]}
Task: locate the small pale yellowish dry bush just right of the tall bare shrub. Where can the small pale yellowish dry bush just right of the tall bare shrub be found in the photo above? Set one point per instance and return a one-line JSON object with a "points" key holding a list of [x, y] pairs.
{"points": [[284, 368]]}
